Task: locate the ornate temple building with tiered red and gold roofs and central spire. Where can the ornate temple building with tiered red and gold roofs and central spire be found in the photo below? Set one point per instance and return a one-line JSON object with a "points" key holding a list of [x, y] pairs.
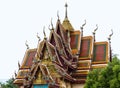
{"points": [[64, 59]]}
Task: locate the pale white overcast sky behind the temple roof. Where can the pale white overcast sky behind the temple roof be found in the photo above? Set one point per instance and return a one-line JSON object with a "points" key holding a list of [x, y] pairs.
{"points": [[20, 20]]}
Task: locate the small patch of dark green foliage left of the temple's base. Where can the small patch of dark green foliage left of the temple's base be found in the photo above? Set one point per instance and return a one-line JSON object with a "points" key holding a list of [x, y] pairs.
{"points": [[8, 84]]}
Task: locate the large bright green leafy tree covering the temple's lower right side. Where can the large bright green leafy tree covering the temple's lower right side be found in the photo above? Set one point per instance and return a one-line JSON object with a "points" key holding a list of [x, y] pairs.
{"points": [[108, 77]]}
